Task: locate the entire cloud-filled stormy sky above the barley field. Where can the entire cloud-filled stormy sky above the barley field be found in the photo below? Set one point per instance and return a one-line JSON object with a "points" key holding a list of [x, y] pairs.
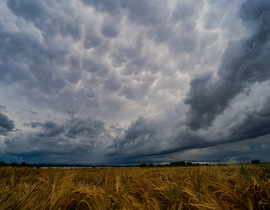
{"points": [[129, 82]]}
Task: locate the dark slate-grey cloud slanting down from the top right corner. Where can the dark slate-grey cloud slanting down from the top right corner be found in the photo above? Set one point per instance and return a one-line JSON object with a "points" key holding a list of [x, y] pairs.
{"points": [[244, 63]]}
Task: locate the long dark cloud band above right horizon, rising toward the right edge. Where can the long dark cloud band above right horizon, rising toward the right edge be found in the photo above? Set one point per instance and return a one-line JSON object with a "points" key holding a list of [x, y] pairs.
{"points": [[253, 125]]}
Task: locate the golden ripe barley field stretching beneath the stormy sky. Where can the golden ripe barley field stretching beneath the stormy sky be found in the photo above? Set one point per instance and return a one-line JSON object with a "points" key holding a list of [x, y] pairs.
{"points": [[198, 187]]}
